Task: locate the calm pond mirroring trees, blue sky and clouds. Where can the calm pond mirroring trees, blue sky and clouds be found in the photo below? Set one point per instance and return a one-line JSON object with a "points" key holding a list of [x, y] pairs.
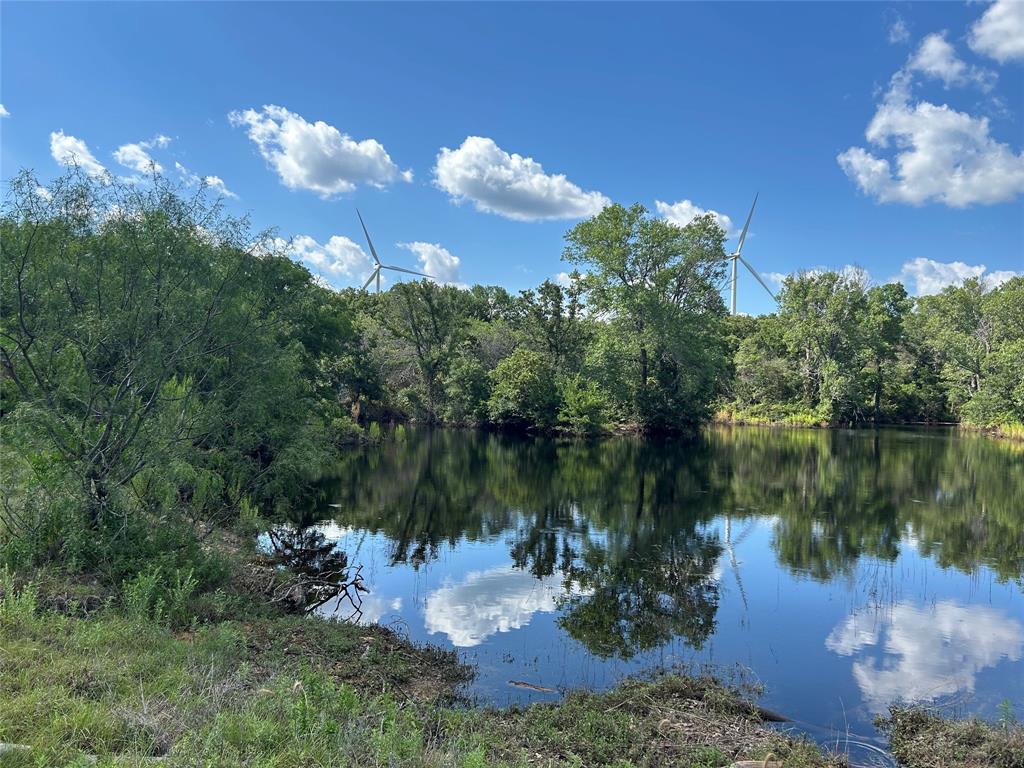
{"points": [[842, 570]]}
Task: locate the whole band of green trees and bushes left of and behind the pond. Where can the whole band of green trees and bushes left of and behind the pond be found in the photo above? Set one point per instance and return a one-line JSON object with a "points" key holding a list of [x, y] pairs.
{"points": [[162, 362]]}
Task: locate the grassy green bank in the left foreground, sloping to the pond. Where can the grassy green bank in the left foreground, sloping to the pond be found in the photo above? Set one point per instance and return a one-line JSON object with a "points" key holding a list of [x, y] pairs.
{"points": [[79, 677]]}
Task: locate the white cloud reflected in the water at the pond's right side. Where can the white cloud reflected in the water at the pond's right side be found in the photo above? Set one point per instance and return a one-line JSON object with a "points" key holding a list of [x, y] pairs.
{"points": [[924, 654]]}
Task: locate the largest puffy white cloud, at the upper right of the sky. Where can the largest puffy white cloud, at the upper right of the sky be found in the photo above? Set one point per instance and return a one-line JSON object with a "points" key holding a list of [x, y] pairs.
{"points": [[942, 155]]}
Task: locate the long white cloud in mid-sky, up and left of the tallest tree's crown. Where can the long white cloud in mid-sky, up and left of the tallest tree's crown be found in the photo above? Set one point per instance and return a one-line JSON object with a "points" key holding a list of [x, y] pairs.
{"points": [[510, 186]]}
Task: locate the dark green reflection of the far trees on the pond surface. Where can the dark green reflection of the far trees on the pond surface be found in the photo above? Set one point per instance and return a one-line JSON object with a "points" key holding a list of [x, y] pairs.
{"points": [[630, 526]]}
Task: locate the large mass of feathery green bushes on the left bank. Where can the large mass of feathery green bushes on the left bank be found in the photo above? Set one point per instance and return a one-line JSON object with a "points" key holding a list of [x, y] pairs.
{"points": [[160, 367]]}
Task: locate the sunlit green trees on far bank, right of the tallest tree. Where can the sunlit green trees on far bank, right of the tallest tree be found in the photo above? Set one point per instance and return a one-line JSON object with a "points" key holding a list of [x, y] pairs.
{"points": [[840, 352]]}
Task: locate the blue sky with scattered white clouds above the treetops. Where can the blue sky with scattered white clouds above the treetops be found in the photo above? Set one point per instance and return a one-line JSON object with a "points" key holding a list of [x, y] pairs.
{"points": [[547, 112]]}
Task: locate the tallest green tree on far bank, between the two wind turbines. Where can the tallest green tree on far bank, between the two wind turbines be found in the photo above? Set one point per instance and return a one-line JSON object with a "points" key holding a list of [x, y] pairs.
{"points": [[656, 287]]}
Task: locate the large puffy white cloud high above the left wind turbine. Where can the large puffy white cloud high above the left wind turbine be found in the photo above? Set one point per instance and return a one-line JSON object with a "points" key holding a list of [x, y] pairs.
{"points": [[317, 156]]}
